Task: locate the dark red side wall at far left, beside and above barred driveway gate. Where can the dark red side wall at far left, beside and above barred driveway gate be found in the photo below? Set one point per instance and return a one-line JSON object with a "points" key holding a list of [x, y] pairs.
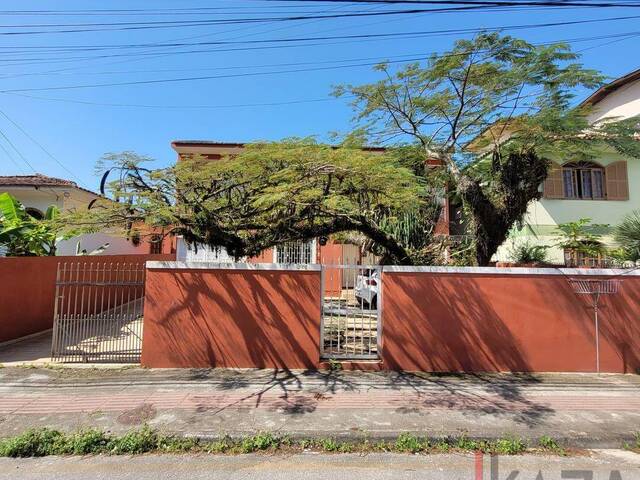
{"points": [[28, 289]]}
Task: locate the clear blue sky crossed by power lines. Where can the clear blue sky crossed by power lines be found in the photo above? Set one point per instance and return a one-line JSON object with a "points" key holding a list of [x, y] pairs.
{"points": [[75, 126]]}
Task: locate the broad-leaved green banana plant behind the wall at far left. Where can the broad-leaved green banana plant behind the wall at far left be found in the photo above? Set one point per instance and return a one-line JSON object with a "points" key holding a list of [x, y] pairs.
{"points": [[23, 235]]}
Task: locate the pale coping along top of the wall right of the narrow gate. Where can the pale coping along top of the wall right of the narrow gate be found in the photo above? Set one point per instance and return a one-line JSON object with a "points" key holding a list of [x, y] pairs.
{"points": [[591, 272]]}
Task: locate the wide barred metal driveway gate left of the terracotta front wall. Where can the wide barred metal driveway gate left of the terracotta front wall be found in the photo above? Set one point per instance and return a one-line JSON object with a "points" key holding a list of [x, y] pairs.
{"points": [[98, 312]]}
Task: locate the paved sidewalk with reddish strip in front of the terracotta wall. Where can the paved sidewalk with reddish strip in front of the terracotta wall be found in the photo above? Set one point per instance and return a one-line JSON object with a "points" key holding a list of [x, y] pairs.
{"points": [[582, 410]]}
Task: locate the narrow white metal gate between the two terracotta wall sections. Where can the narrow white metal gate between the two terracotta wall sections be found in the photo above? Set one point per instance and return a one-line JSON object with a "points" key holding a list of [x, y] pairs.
{"points": [[351, 301]]}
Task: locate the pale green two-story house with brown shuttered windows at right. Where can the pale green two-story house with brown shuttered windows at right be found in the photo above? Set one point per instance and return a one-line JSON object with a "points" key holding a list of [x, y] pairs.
{"points": [[604, 190]]}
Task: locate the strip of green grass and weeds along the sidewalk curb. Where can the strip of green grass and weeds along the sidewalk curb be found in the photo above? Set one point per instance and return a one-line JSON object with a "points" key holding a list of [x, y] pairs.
{"points": [[45, 441]]}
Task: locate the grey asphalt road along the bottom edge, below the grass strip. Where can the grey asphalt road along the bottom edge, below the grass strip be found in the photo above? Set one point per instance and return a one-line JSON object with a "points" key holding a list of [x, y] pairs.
{"points": [[312, 466]]}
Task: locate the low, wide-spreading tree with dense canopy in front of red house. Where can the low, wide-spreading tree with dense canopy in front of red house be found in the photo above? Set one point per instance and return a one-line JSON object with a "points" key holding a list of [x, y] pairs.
{"points": [[269, 194]]}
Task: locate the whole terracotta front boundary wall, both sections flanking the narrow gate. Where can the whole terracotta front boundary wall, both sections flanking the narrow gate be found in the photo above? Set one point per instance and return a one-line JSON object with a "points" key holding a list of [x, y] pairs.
{"points": [[481, 320]]}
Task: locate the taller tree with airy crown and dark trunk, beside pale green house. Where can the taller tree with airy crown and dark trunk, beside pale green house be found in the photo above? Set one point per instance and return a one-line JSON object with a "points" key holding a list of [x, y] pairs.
{"points": [[494, 110]]}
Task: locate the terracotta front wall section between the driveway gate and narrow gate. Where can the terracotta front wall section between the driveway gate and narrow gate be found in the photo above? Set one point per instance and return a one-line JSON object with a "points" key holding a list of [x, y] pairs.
{"points": [[231, 318]]}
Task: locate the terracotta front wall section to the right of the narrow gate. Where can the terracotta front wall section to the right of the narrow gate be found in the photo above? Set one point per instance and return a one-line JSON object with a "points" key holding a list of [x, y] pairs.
{"points": [[504, 322]]}
